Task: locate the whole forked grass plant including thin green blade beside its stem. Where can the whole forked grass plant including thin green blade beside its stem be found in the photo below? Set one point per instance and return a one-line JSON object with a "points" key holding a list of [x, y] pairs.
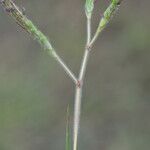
{"points": [[20, 18]]}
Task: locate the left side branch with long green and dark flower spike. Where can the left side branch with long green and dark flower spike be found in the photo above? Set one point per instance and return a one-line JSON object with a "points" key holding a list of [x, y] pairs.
{"points": [[14, 11]]}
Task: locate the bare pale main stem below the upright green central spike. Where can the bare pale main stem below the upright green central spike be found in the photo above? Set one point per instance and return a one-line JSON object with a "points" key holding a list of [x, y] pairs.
{"points": [[78, 94]]}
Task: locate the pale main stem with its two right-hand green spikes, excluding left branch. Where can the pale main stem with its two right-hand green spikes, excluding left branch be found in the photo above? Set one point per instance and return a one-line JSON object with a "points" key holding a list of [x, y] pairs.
{"points": [[102, 24]]}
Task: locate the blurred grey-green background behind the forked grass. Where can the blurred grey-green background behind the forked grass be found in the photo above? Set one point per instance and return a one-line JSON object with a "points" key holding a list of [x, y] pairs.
{"points": [[35, 92]]}
